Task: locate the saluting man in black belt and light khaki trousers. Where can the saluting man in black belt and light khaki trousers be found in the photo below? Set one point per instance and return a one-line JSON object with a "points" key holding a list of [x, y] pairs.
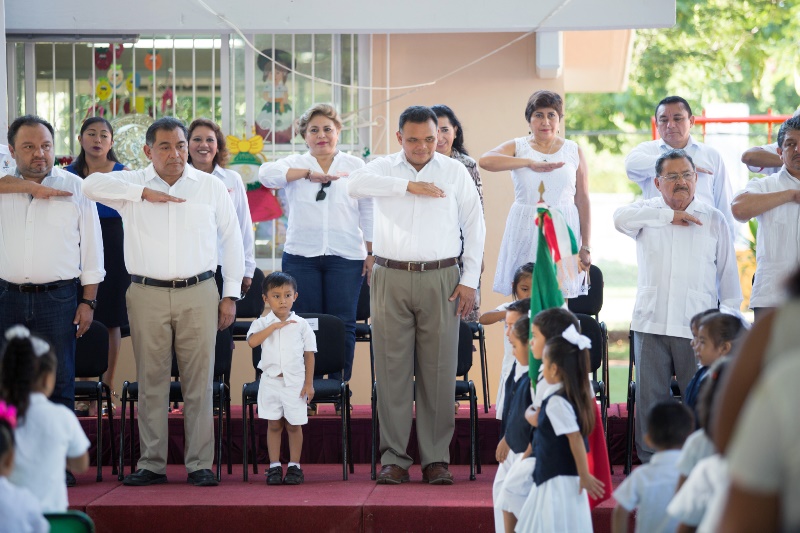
{"points": [[174, 215]]}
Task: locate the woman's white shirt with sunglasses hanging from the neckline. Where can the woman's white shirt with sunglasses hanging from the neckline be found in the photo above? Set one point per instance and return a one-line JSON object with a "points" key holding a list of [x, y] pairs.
{"points": [[338, 225]]}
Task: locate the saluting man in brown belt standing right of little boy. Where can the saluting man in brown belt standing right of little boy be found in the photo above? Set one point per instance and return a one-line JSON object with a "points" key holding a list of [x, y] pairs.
{"points": [[424, 202]]}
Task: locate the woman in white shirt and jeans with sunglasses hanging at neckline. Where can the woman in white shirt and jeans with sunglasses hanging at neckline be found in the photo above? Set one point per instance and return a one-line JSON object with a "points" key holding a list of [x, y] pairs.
{"points": [[328, 245]]}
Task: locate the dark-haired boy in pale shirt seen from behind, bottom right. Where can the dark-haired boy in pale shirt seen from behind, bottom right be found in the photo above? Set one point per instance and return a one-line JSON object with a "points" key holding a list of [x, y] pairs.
{"points": [[650, 487]]}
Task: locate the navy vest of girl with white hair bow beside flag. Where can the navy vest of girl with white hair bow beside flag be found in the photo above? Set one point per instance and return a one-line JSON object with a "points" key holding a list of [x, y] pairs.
{"points": [[552, 452]]}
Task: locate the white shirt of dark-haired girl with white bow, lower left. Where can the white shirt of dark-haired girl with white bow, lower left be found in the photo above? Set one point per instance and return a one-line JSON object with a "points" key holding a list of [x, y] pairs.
{"points": [[46, 436]]}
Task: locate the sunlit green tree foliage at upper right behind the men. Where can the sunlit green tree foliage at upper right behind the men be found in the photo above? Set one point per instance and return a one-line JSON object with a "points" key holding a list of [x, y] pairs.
{"points": [[719, 51]]}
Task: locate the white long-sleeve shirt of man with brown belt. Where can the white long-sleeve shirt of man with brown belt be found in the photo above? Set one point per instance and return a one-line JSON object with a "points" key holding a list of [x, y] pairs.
{"points": [[411, 227]]}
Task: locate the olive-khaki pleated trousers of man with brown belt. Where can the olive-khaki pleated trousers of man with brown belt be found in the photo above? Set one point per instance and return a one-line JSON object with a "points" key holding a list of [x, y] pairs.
{"points": [[415, 332]]}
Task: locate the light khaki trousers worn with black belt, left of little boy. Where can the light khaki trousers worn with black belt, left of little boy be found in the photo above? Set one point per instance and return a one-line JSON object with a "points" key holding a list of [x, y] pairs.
{"points": [[186, 319]]}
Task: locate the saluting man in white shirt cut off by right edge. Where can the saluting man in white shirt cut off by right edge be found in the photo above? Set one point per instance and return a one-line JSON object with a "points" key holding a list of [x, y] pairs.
{"points": [[774, 202]]}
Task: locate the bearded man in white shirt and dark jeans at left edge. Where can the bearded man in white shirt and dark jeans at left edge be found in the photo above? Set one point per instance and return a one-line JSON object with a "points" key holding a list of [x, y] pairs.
{"points": [[50, 238]]}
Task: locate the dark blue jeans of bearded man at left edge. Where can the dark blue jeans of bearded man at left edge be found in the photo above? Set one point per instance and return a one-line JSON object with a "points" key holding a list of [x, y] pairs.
{"points": [[48, 315]]}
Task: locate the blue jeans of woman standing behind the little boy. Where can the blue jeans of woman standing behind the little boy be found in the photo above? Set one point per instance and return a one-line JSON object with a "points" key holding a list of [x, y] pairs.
{"points": [[328, 284]]}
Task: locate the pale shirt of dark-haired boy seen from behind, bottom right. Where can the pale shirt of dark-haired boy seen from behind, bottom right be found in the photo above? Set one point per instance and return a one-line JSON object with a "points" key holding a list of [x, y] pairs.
{"points": [[649, 490]]}
